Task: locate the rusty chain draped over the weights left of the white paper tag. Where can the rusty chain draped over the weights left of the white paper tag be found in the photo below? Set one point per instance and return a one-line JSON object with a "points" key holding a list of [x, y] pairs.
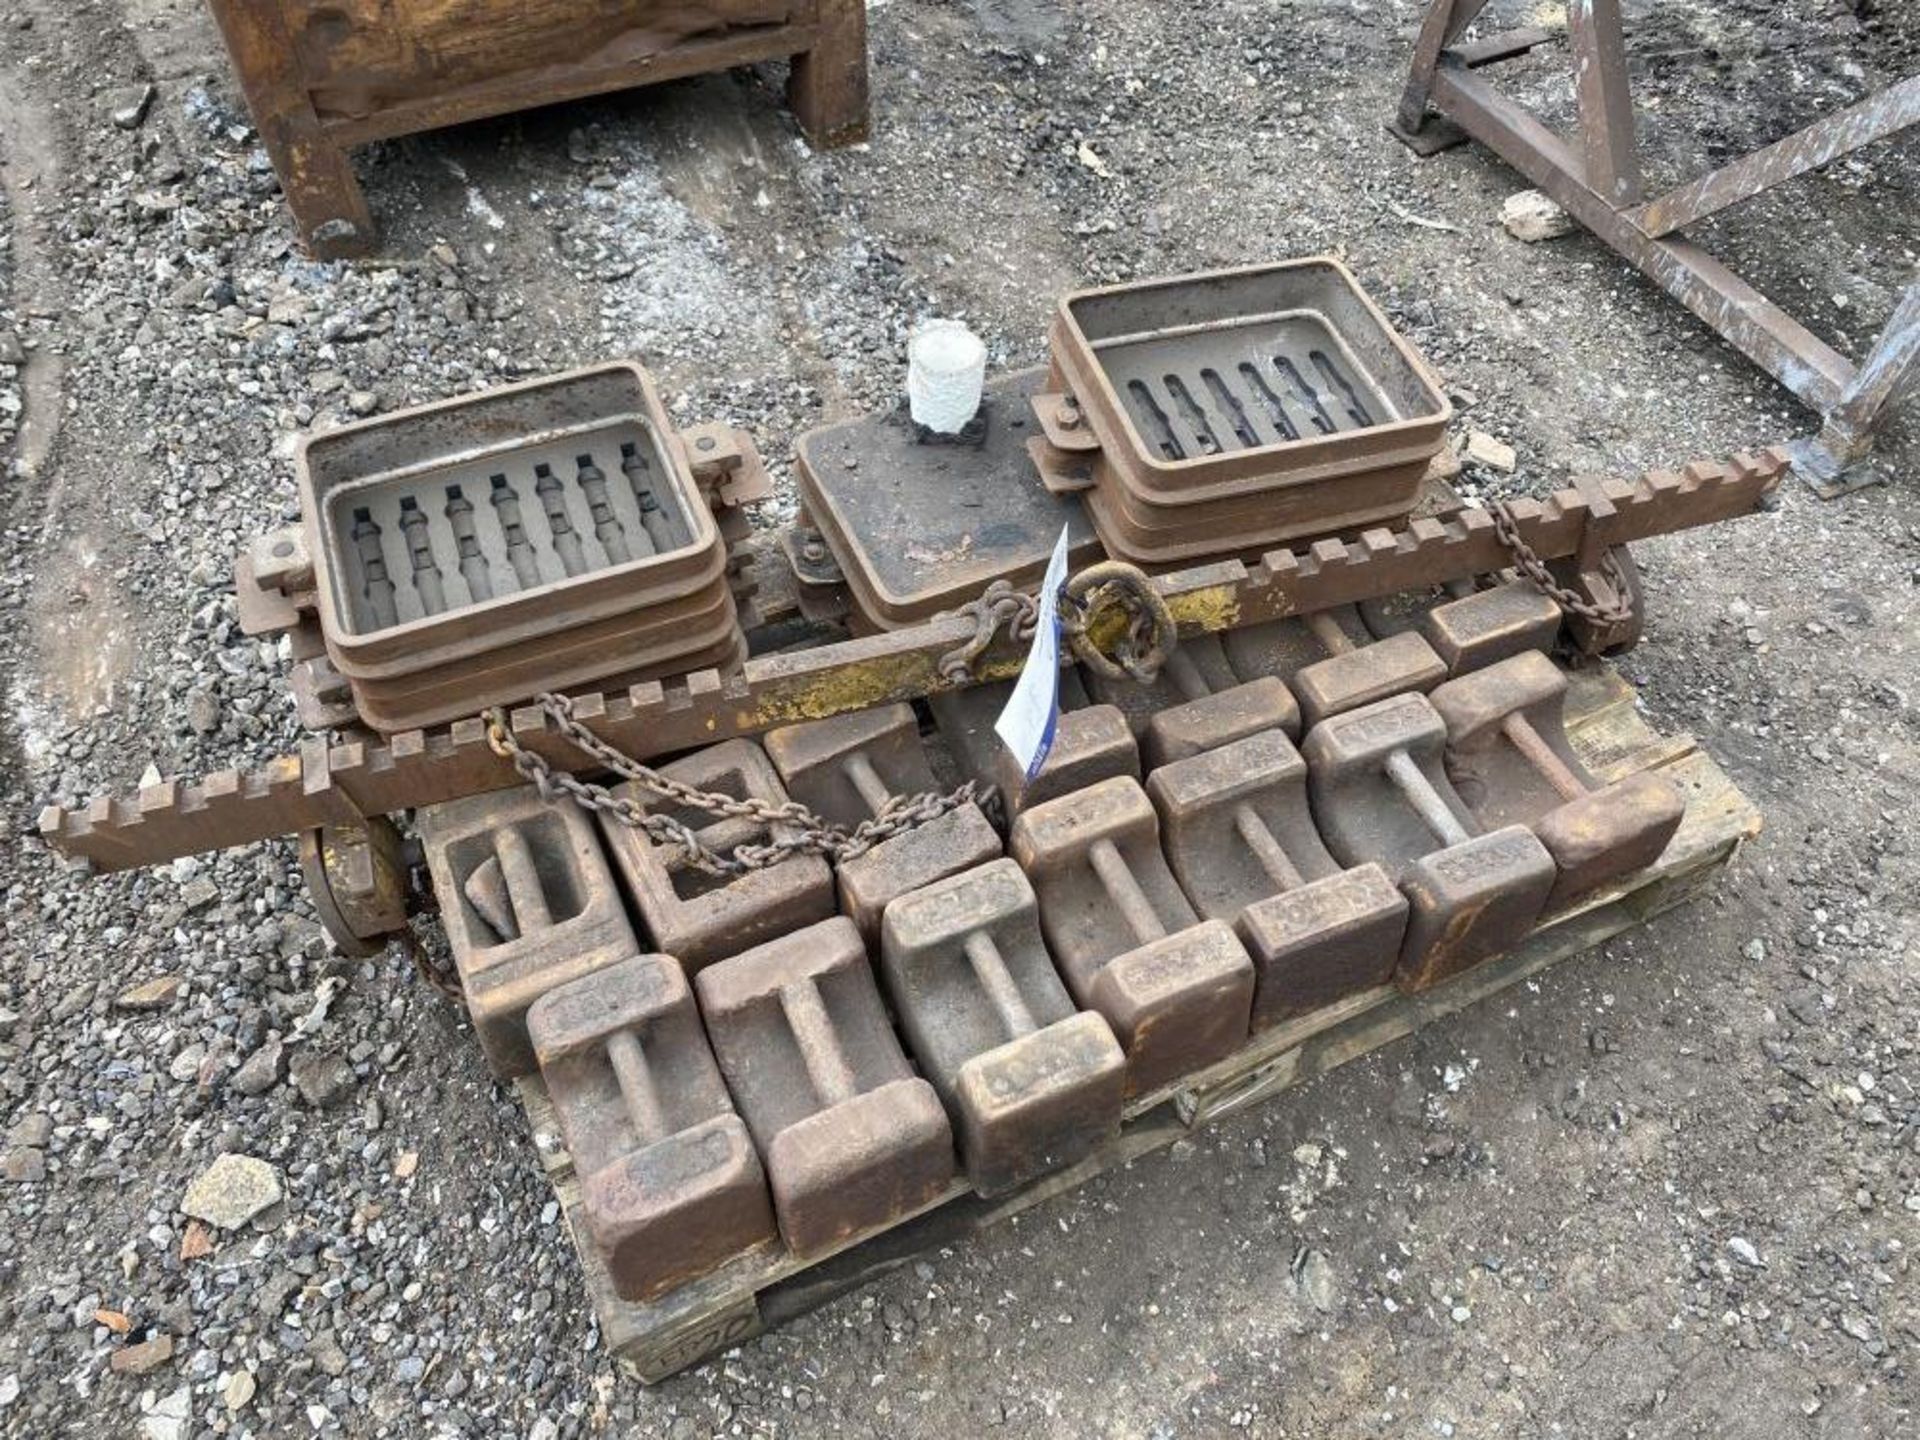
{"points": [[805, 832]]}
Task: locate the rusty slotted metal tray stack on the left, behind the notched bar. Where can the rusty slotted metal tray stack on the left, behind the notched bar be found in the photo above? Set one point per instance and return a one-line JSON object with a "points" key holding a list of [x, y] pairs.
{"points": [[487, 548]]}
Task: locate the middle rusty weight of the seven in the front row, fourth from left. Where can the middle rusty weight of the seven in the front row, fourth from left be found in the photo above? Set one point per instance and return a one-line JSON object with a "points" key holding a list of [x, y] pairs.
{"points": [[1176, 990]]}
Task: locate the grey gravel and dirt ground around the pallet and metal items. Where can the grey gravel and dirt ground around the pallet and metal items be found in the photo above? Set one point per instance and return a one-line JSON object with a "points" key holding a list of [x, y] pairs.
{"points": [[1671, 1189]]}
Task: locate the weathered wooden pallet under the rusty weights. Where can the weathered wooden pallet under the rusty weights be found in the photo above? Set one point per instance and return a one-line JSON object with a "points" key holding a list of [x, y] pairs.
{"points": [[765, 1287]]}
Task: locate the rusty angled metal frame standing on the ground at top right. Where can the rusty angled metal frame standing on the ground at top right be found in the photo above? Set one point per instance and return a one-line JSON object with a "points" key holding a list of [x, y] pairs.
{"points": [[1598, 180]]}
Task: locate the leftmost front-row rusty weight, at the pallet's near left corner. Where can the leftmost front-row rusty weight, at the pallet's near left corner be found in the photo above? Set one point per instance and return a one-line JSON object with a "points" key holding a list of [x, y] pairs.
{"points": [[669, 1180]]}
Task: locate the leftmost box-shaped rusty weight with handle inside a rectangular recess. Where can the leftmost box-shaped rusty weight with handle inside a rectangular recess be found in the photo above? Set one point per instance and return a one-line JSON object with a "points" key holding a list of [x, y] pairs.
{"points": [[529, 905]]}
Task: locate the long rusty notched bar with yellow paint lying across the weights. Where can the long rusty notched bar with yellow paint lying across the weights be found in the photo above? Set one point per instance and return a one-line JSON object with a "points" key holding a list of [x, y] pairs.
{"points": [[347, 780]]}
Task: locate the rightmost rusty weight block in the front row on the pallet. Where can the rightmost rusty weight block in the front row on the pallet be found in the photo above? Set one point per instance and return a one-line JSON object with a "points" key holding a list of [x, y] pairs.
{"points": [[1510, 761]]}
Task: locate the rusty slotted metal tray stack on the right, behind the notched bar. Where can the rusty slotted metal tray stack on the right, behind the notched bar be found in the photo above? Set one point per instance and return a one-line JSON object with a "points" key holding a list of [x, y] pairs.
{"points": [[1226, 412]]}
